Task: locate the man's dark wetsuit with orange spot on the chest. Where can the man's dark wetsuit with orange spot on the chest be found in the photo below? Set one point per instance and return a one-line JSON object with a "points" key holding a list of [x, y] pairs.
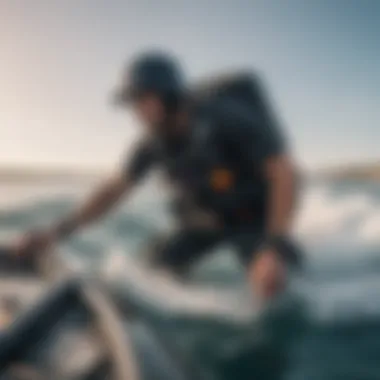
{"points": [[218, 165]]}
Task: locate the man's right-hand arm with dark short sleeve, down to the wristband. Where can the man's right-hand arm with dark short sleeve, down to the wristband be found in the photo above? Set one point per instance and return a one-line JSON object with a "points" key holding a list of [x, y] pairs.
{"points": [[260, 142]]}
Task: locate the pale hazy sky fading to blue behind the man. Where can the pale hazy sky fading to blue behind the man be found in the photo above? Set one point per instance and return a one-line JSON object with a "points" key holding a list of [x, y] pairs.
{"points": [[61, 60]]}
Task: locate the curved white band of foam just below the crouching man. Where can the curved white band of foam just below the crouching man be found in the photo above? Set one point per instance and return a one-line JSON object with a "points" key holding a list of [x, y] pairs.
{"points": [[163, 291]]}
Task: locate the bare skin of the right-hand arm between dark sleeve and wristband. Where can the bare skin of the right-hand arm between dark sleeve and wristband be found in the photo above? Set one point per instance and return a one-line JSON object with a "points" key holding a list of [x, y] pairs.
{"points": [[282, 190]]}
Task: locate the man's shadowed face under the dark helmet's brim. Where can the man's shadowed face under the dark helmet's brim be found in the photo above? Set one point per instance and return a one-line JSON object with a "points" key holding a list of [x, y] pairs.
{"points": [[150, 110]]}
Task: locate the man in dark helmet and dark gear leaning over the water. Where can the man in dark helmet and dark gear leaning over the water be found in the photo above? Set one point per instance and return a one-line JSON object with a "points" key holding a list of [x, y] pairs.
{"points": [[226, 160]]}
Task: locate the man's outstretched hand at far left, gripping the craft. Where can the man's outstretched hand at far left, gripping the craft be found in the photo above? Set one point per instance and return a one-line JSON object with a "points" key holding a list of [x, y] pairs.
{"points": [[34, 243]]}
